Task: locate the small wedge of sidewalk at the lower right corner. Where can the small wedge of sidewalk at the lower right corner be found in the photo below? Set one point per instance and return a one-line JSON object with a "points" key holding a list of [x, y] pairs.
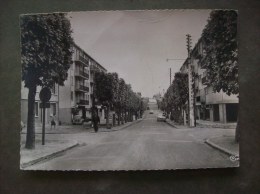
{"points": [[225, 144]]}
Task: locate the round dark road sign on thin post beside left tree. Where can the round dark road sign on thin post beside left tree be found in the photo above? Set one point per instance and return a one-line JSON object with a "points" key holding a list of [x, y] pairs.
{"points": [[45, 96]]}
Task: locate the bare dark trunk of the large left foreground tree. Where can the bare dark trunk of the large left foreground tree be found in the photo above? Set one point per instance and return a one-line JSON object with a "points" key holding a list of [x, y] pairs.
{"points": [[30, 136]]}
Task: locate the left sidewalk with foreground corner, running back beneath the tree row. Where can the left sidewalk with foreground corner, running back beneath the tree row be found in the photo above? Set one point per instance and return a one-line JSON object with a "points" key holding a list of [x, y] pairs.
{"points": [[57, 144]]}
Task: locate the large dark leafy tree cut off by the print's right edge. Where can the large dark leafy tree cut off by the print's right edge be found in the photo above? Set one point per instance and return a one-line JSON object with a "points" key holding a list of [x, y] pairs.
{"points": [[221, 50]]}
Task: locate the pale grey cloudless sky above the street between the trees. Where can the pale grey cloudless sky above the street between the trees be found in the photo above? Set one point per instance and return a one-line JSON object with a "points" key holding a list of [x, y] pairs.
{"points": [[137, 44]]}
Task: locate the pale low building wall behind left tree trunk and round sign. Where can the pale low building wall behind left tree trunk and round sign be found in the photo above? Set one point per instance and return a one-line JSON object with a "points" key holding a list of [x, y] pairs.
{"points": [[52, 111]]}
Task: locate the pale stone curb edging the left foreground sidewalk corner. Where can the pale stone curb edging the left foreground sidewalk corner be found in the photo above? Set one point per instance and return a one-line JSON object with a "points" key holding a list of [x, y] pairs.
{"points": [[46, 157]]}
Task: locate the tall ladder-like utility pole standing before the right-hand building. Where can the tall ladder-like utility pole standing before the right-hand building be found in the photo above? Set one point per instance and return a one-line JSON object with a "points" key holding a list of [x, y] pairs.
{"points": [[191, 92]]}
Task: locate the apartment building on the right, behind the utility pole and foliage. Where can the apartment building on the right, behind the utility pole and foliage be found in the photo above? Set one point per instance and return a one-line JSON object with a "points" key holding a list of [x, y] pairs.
{"points": [[209, 105]]}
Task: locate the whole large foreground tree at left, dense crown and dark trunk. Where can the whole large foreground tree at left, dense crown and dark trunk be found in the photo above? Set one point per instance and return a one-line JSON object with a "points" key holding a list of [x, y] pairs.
{"points": [[46, 57]]}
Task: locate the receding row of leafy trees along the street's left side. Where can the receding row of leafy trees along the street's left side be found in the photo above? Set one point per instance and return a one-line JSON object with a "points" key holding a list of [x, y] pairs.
{"points": [[114, 93]]}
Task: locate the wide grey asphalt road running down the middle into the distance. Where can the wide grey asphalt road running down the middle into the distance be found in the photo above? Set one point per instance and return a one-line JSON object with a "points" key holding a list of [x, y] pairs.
{"points": [[145, 145]]}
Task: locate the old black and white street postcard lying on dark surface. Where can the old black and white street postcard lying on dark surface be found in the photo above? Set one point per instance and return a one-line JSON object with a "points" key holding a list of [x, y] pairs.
{"points": [[129, 90]]}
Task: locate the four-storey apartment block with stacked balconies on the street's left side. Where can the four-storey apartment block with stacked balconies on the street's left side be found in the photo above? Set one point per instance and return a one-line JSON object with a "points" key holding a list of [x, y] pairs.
{"points": [[75, 97]]}
